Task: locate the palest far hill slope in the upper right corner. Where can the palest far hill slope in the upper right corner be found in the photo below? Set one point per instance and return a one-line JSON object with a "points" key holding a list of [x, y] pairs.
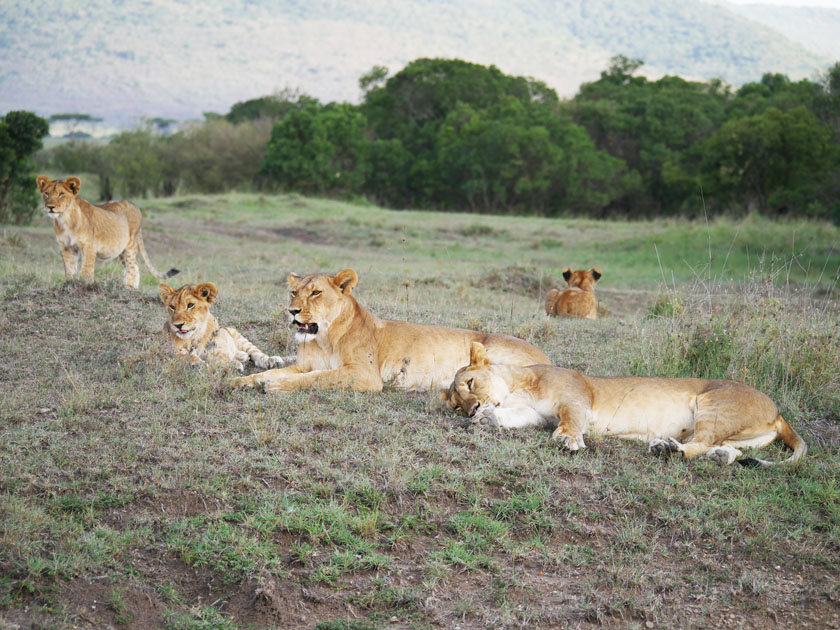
{"points": [[817, 29]]}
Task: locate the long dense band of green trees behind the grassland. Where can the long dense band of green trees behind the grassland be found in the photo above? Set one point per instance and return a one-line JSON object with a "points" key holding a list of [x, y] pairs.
{"points": [[451, 135]]}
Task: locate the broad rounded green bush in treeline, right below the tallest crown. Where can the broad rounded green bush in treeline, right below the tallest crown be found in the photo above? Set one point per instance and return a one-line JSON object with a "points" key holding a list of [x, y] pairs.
{"points": [[525, 159]]}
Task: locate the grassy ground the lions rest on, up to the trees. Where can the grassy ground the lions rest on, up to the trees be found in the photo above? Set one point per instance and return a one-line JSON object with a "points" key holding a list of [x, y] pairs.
{"points": [[140, 493]]}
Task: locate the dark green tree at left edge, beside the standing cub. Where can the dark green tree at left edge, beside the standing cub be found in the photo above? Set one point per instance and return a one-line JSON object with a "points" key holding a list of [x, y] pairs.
{"points": [[20, 137]]}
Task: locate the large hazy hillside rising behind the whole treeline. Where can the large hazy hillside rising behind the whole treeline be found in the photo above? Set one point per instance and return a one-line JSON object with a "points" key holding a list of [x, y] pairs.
{"points": [[122, 59]]}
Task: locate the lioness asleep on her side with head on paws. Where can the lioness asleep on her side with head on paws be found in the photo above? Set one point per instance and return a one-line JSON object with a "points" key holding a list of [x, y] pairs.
{"points": [[712, 418]]}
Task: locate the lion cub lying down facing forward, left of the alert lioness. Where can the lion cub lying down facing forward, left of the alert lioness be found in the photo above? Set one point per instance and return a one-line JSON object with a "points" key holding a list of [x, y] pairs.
{"points": [[196, 335]]}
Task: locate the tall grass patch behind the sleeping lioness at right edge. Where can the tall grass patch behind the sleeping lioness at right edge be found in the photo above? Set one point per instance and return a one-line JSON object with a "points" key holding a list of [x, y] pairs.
{"points": [[779, 342]]}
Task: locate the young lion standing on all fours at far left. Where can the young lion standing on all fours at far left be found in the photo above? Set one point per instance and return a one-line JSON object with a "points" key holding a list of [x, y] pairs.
{"points": [[96, 232]]}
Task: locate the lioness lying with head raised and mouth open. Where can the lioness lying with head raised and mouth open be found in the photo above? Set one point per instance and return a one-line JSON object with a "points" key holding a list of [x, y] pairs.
{"points": [[341, 344]]}
